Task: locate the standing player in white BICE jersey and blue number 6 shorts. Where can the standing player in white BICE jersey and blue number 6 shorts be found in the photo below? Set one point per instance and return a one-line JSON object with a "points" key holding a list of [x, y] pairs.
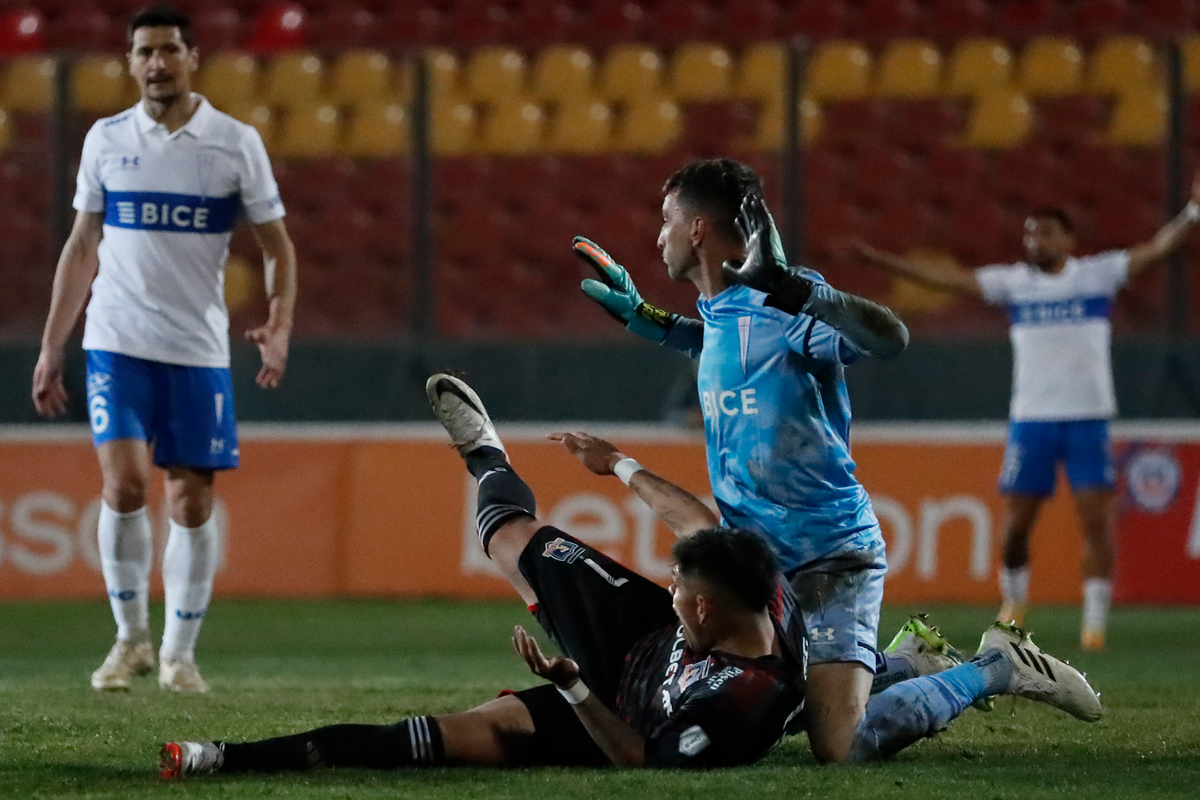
{"points": [[160, 189]]}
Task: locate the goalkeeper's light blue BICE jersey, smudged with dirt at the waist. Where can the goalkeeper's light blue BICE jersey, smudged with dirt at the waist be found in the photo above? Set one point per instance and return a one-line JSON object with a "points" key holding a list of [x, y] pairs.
{"points": [[777, 420]]}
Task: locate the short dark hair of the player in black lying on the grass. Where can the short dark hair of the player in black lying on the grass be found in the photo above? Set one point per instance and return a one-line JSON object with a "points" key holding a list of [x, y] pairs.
{"points": [[736, 561]]}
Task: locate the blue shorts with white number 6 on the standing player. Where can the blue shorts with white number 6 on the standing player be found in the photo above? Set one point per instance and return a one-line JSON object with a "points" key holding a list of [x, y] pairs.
{"points": [[185, 413]]}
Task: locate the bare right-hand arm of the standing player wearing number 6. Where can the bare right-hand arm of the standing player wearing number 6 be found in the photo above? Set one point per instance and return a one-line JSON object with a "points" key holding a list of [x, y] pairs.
{"points": [[280, 266]]}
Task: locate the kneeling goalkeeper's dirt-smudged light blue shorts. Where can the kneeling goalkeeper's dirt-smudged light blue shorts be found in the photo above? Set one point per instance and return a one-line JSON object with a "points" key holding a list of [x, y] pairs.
{"points": [[841, 601]]}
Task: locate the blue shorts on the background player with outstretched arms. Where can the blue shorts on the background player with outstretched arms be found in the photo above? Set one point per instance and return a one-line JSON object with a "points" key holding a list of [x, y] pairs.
{"points": [[1035, 450]]}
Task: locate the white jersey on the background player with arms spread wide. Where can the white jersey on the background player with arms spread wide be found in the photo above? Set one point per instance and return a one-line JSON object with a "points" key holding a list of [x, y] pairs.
{"points": [[1063, 368]]}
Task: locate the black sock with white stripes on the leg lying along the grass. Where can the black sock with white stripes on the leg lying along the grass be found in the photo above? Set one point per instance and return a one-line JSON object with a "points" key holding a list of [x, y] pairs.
{"points": [[413, 743]]}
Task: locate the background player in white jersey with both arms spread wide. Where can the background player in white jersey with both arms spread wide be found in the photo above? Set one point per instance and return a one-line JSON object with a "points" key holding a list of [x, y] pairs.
{"points": [[1063, 387]]}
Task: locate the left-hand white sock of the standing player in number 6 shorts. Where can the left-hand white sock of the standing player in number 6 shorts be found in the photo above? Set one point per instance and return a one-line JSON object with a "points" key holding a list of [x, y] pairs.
{"points": [[127, 552]]}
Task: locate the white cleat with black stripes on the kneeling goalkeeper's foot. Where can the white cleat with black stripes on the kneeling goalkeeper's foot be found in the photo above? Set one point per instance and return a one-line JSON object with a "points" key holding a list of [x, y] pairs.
{"points": [[1039, 676]]}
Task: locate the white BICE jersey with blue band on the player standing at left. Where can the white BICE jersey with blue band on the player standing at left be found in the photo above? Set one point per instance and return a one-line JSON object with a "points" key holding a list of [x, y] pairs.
{"points": [[170, 202]]}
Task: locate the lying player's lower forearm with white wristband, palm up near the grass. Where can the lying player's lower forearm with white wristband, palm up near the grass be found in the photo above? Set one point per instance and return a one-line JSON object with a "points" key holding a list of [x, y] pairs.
{"points": [[623, 745]]}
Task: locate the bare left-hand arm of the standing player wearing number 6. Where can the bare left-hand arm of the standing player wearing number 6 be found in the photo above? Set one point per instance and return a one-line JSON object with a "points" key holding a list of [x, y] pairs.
{"points": [[76, 269]]}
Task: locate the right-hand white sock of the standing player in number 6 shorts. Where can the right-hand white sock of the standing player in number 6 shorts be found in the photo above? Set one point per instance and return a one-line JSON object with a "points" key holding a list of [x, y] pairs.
{"points": [[189, 564]]}
